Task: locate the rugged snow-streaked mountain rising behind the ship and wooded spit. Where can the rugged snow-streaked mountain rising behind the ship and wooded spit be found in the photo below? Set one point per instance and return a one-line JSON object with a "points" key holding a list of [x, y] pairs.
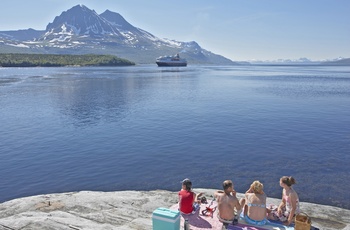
{"points": [[81, 30]]}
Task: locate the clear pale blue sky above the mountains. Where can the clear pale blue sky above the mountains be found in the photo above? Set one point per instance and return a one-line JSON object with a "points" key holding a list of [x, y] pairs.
{"points": [[237, 29]]}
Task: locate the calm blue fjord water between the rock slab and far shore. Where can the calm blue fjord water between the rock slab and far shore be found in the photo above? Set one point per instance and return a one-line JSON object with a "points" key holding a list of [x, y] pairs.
{"points": [[145, 128]]}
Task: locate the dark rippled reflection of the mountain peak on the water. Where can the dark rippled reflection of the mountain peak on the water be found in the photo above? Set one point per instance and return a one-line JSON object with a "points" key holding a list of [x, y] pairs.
{"points": [[88, 101]]}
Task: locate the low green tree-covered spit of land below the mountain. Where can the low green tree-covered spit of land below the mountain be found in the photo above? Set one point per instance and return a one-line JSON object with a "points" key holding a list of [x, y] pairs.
{"points": [[59, 60]]}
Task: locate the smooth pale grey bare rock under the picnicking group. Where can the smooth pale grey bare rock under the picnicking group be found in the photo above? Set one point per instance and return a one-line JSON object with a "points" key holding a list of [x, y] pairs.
{"points": [[123, 210]]}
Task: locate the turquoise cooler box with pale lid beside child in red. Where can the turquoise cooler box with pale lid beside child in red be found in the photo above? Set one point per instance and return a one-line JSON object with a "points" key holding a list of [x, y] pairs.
{"points": [[165, 219]]}
